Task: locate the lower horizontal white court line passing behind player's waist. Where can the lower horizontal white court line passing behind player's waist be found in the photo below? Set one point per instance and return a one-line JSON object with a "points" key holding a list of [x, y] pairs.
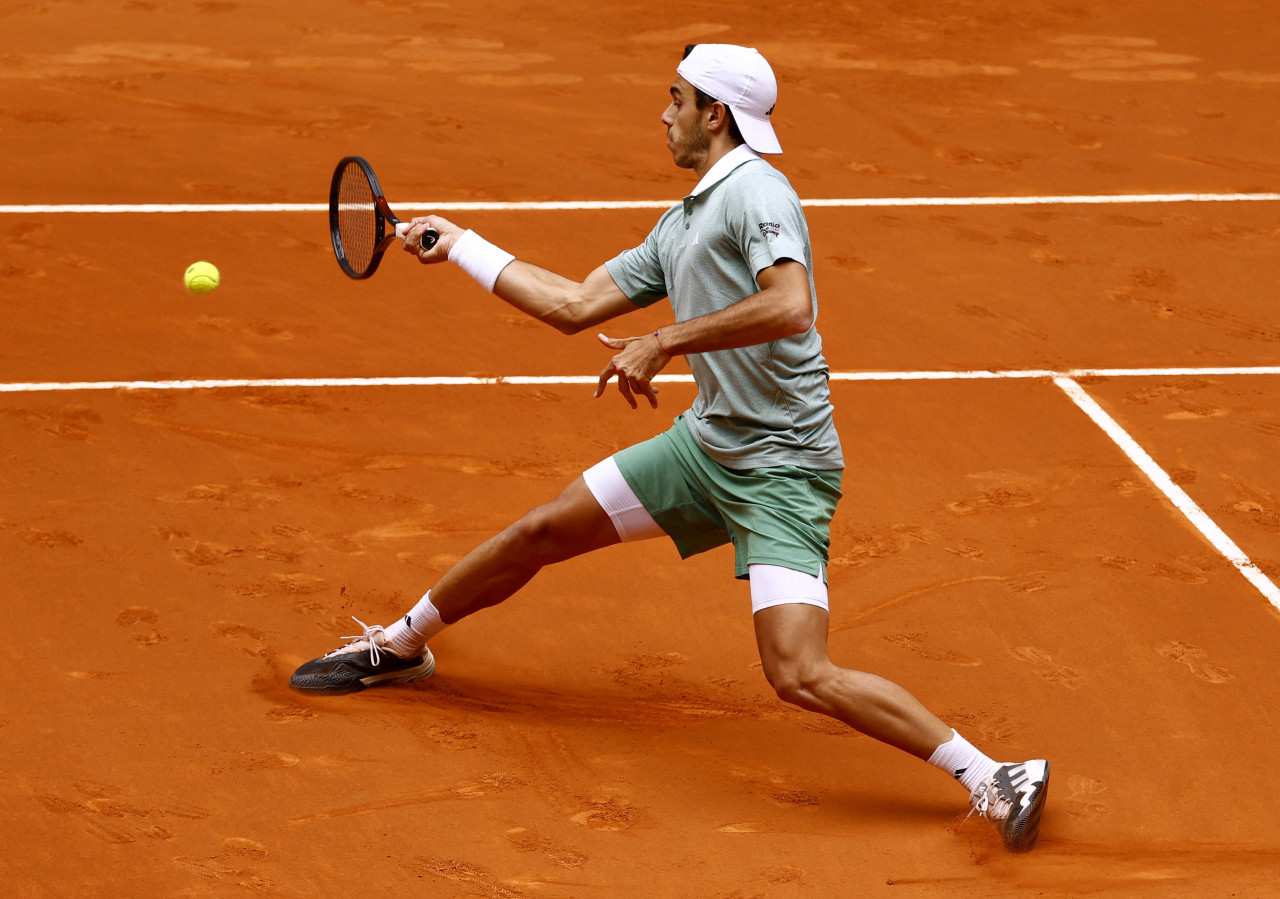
{"points": [[1013, 375]]}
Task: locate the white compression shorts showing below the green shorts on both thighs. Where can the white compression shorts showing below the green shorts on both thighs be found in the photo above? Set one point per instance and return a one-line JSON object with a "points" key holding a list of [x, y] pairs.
{"points": [[771, 585]]}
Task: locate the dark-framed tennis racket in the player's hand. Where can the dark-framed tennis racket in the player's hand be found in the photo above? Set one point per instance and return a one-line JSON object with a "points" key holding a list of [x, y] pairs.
{"points": [[359, 216]]}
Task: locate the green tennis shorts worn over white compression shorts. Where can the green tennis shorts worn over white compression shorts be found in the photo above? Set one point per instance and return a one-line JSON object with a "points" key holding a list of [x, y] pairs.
{"points": [[772, 517]]}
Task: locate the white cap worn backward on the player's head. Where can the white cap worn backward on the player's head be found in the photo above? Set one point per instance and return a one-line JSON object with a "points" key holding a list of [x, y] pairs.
{"points": [[742, 80]]}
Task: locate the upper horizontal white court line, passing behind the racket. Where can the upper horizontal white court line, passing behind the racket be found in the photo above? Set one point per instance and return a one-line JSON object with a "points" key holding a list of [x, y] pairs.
{"points": [[445, 207]]}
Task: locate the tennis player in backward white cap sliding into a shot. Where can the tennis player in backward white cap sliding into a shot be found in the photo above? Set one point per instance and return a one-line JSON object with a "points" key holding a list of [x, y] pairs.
{"points": [[756, 463]]}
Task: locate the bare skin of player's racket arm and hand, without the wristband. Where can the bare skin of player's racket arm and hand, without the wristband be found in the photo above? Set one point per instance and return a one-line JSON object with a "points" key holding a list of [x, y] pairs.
{"points": [[564, 304]]}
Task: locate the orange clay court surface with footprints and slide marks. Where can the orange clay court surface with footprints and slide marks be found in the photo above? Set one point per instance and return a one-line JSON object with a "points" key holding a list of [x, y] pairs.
{"points": [[171, 556]]}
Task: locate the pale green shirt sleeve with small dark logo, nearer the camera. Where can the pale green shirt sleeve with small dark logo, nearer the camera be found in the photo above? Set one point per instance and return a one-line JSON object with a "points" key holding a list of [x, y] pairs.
{"points": [[769, 223]]}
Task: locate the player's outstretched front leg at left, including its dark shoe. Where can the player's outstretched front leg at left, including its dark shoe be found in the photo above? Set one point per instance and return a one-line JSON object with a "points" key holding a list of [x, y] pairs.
{"points": [[572, 524]]}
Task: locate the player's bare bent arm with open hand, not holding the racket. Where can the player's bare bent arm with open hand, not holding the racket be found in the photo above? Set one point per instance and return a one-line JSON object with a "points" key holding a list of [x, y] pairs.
{"points": [[784, 307]]}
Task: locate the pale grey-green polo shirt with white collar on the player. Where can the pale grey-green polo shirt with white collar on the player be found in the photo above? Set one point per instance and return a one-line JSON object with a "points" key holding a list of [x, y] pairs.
{"points": [[761, 407]]}
